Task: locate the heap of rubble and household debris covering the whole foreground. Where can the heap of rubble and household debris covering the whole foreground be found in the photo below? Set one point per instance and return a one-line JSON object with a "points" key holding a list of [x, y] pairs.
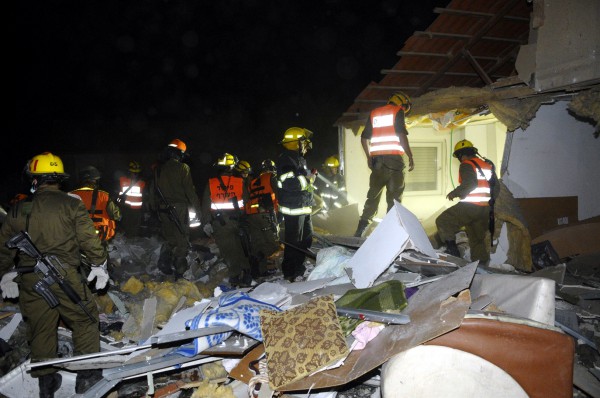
{"points": [[200, 337]]}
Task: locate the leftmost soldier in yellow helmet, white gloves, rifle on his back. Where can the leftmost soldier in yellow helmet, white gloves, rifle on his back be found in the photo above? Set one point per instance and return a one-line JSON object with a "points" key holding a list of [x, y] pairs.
{"points": [[58, 224]]}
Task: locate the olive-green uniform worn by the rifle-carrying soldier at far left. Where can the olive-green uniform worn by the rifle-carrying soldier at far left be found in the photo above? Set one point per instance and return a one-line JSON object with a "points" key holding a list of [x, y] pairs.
{"points": [[58, 224]]}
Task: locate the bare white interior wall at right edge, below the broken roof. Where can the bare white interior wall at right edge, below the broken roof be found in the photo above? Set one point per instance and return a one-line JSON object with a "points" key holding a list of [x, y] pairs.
{"points": [[557, 155]]}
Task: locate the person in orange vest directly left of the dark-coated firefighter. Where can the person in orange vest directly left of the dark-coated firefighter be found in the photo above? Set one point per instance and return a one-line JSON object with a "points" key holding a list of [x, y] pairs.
{"points": [[262, 209]]}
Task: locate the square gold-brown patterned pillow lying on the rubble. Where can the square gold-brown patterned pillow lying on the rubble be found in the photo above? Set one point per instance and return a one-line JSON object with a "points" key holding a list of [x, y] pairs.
{"points": [[301, 340]]}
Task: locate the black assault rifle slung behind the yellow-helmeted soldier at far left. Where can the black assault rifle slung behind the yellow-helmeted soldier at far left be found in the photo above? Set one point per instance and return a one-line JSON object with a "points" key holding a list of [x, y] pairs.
{"points": [[47, 266]]}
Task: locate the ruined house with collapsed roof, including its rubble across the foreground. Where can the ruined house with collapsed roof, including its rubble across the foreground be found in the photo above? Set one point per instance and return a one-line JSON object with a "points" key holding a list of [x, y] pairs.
{"points": [[391, 314]]}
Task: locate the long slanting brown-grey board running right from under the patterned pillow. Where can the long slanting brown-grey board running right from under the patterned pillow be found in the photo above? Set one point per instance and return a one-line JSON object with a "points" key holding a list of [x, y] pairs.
{"points": [[433, 311]]}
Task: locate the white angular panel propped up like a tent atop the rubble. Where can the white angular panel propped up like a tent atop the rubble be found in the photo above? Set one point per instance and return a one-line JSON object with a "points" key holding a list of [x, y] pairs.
{"points": [[399, 230]]}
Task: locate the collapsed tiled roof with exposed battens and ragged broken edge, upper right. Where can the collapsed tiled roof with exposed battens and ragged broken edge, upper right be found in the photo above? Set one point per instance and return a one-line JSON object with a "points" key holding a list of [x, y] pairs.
{"points": [[496, 56]]}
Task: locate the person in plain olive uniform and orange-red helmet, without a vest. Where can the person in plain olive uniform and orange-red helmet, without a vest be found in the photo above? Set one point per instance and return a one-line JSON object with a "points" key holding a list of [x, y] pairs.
{"points": [[172, 194]]}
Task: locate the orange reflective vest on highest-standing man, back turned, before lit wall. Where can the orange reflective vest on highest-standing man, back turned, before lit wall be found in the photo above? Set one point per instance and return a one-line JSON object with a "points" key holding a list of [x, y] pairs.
{"points": [[384, 140]]}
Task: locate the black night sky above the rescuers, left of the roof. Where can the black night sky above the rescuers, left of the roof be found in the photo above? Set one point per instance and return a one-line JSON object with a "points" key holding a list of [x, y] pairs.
{"points": [[224, 76]]}
